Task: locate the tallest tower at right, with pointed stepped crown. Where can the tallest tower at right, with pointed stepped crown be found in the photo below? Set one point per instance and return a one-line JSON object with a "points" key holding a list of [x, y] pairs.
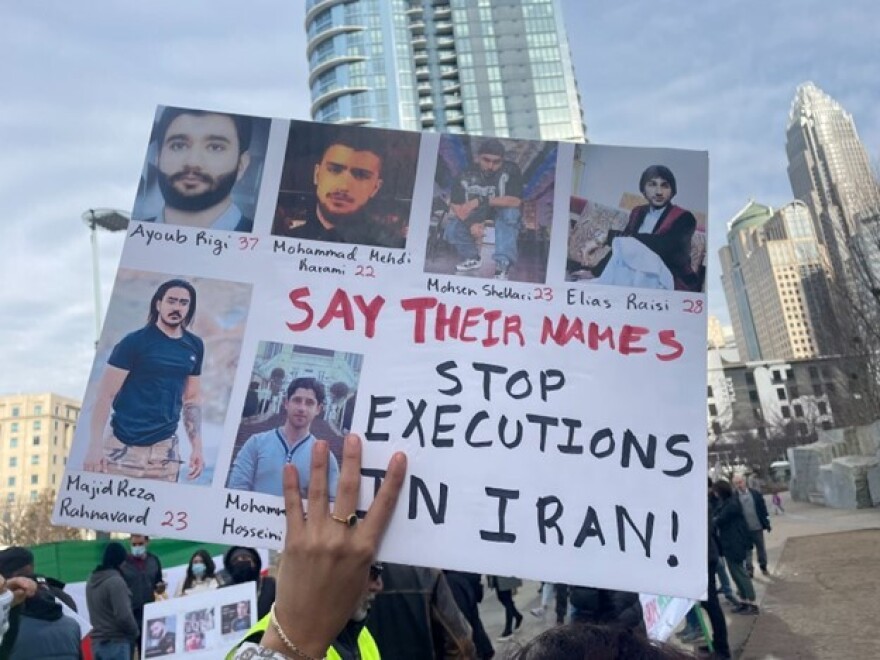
{"points": [[829, 171]]}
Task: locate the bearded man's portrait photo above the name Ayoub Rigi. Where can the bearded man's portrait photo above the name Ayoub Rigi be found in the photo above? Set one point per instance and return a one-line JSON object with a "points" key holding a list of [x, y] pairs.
{"points": [[203, 169]]}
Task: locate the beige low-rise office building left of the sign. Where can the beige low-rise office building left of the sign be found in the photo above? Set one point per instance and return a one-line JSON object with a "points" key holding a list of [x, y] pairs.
{"points": [[36, 431]]}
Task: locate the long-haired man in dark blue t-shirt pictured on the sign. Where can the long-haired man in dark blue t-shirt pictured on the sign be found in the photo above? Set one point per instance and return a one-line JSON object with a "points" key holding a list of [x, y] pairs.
{"points": [[151, 378]]}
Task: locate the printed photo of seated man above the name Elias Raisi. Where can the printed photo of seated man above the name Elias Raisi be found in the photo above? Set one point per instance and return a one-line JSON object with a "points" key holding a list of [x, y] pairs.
{"points": [[638, 218]]}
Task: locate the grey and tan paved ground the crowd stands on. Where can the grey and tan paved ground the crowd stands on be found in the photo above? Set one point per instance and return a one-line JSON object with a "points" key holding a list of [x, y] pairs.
{"points": [[818, 601]]}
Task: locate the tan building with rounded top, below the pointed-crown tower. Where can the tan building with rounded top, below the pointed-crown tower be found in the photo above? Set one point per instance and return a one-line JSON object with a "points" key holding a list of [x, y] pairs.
{"points": [[776, 278]]}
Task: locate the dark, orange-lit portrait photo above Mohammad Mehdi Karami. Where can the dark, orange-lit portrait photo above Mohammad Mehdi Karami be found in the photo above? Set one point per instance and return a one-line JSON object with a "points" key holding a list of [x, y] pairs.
{"points": [[347, 184]]}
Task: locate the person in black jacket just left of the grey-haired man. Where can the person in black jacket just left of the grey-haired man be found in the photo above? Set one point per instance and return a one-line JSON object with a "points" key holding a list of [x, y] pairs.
{"points": [[736, 543]]}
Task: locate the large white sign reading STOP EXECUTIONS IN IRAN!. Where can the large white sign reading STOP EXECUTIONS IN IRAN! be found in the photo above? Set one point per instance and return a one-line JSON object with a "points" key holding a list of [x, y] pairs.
{"points": [[524, 319]]}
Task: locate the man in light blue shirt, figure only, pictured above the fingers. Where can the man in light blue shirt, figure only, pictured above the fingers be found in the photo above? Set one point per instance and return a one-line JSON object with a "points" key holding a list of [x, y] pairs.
{"points": [[258, 465]]}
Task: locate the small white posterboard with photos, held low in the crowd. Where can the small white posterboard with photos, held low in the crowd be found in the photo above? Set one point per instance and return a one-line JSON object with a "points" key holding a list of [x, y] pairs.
{"points": [[202, 626]]}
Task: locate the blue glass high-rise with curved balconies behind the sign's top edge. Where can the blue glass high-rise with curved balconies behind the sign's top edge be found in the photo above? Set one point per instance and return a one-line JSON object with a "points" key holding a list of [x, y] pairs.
{"points": [[491, 67]]}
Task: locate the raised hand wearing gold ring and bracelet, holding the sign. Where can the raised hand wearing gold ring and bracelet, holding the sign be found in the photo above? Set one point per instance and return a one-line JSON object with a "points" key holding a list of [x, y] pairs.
{"points": [[325, 562]]}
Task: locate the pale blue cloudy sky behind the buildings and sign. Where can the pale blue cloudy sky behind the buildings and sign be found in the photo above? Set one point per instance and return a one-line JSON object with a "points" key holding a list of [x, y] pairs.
{"points": [[82, 78]]}
